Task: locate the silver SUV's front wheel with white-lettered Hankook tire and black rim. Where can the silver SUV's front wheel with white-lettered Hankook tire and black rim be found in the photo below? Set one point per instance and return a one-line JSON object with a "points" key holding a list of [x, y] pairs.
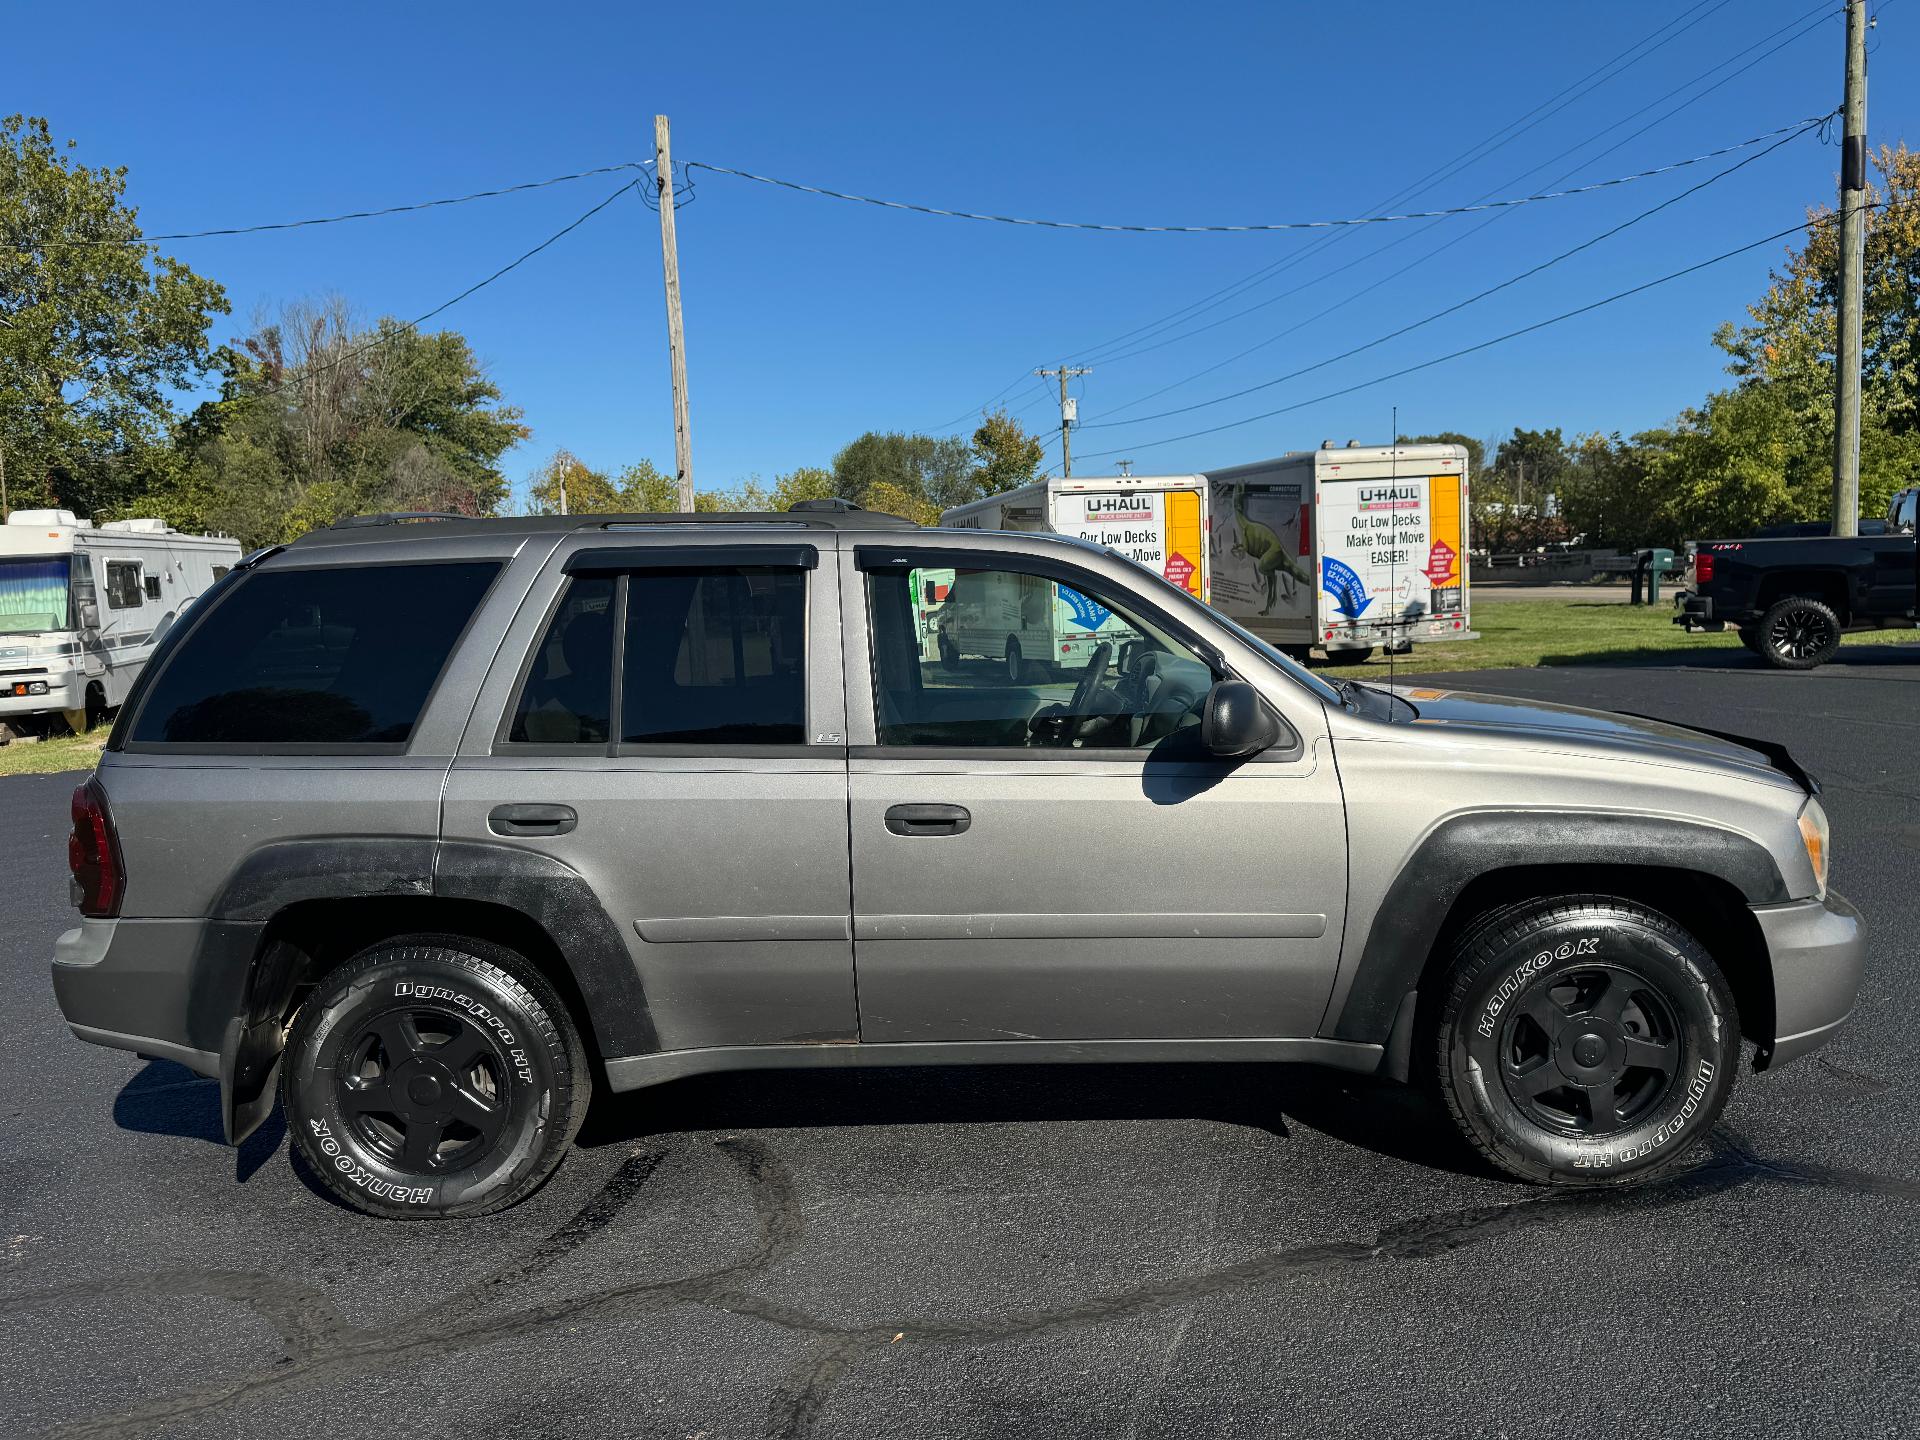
{"points": [[1585, 1042]]}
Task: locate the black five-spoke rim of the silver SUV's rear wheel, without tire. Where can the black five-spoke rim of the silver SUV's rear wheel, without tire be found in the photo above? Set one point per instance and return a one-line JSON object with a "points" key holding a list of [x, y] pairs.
{"points": [[425, 1090]]}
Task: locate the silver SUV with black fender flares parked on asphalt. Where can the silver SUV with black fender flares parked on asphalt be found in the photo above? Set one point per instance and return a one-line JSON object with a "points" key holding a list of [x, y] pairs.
{"points": [[431, 828]]}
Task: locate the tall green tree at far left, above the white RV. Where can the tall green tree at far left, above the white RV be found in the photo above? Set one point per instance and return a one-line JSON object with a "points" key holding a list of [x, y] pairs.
{"points": [[97, 331]]}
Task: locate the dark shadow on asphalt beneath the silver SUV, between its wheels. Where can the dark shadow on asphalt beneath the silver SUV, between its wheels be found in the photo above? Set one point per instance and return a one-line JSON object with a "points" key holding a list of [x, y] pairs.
{"points": [[1385, 1118]]}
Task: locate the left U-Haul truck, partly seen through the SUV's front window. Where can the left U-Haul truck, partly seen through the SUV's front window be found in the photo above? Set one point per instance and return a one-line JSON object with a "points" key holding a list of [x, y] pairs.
{"points": [[1155, 521]]}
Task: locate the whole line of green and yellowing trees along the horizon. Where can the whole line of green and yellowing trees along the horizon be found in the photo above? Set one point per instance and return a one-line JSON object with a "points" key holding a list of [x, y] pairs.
{"points": [[318, 414]]}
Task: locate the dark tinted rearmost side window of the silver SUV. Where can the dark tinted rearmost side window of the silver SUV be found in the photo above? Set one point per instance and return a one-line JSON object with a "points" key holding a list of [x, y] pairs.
{"points": [[316, 658]]}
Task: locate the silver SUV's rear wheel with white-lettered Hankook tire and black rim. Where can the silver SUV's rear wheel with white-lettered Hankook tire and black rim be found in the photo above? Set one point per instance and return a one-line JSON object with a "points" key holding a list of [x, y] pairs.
{"points": [[433, 1076]]}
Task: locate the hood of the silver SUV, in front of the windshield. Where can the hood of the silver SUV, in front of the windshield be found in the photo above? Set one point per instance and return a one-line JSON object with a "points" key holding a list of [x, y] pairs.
{"points": [[1633, 734]]}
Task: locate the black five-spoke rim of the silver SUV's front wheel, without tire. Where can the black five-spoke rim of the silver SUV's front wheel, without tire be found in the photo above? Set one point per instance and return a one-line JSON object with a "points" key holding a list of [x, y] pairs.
{"points": [[1591, 1051]]}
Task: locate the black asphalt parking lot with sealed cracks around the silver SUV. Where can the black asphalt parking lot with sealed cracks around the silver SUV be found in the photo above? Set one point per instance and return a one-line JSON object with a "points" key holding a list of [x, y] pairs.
{"points": [[1038, 1253]]}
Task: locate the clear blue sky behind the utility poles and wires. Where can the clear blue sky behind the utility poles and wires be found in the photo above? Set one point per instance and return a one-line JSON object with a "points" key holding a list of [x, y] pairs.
{"points": [[813, 320]]}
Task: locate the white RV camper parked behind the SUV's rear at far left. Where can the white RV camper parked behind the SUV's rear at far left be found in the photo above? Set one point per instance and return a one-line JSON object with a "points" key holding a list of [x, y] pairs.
{"points": [[82, 608]]}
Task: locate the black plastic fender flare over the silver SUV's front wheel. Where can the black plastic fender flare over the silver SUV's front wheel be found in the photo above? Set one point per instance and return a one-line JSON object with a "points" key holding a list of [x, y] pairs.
{"points": [[1472, 846]]}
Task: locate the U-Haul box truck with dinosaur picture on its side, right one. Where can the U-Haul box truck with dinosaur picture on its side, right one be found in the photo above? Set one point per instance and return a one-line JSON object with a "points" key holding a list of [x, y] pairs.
{"points": [[1343, 550]]}
